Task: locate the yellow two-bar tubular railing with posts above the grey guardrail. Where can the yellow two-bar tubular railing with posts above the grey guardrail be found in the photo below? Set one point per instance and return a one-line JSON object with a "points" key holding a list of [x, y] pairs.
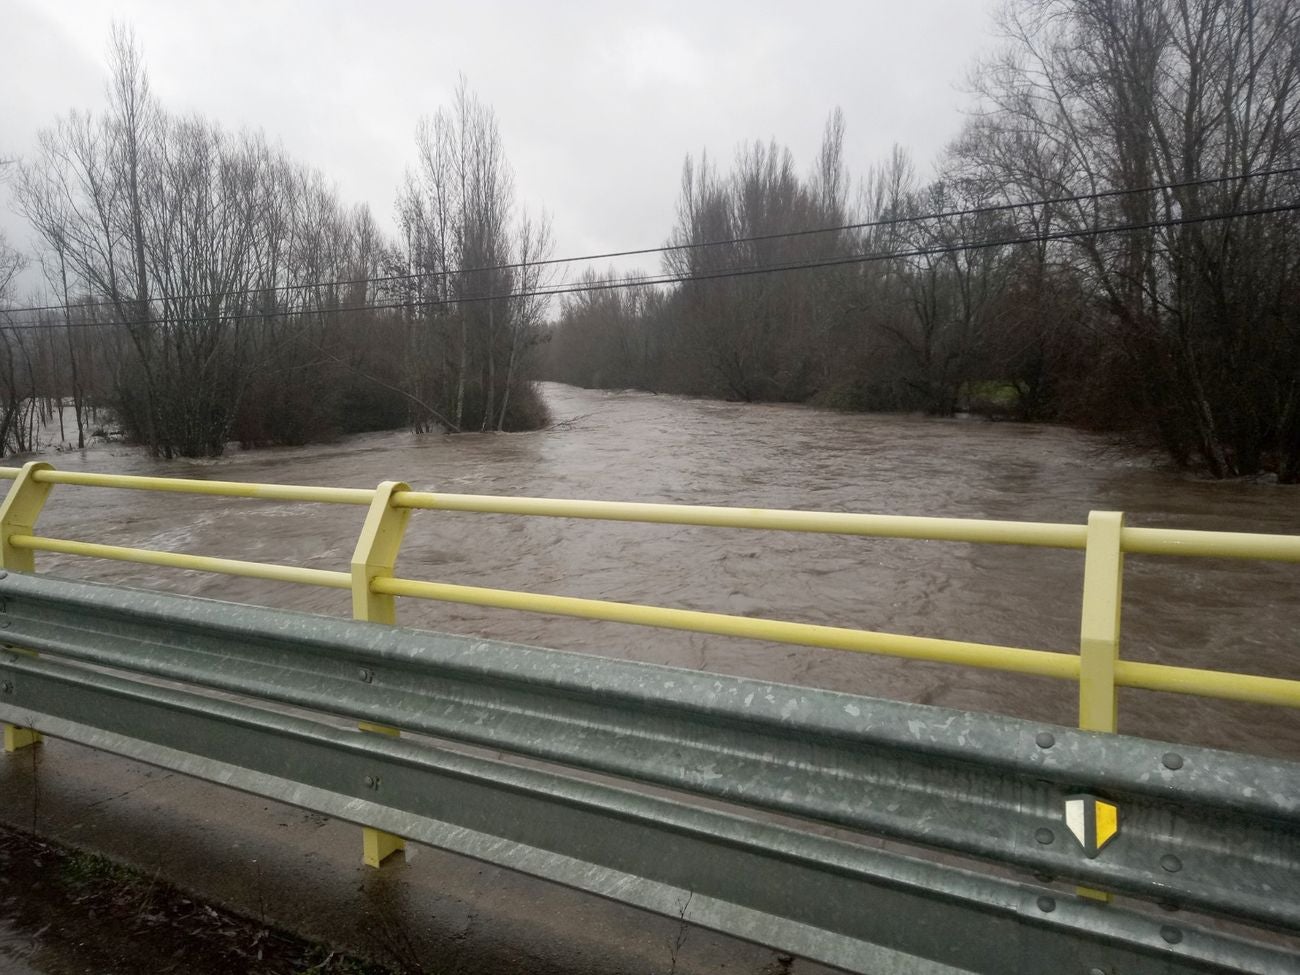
{"points": [[1106, 541]]}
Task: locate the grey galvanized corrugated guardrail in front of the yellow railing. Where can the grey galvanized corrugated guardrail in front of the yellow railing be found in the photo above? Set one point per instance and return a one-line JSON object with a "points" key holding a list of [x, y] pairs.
{"points": [[1198, 829]]}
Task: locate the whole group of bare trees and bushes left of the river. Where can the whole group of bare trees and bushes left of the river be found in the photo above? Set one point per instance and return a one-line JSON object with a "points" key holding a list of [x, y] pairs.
{"points": [[211, 289]]}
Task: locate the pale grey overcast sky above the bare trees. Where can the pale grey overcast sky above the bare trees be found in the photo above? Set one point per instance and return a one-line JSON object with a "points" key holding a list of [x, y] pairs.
{"points": [[599, 102]]}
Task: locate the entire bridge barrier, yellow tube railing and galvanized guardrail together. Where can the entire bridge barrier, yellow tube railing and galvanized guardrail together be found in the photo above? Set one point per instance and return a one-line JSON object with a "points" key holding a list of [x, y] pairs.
{"points": [[1195, 827]]}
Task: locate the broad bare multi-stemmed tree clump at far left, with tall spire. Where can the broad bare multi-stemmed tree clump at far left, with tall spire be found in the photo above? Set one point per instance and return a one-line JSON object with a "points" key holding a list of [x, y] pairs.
{"points": [[211, 263]]}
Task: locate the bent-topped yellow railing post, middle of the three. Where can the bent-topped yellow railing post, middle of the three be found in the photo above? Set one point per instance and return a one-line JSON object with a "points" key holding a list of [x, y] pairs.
{"points": [[375, 557]]}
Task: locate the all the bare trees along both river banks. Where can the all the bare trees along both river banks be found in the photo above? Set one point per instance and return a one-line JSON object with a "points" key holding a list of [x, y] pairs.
{"points": [[1110, 241]]}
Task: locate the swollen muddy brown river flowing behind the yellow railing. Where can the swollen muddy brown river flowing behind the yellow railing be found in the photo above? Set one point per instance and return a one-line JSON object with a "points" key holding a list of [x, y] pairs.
{"points": [[634, 447]]}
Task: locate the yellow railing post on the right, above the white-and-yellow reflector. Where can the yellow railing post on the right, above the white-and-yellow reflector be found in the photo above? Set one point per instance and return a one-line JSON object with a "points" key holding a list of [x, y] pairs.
{"points": [[1099, 632]]}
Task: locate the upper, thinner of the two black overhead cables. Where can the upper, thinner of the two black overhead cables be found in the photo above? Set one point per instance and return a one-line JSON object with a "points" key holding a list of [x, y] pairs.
{"points": [[668, 249]]}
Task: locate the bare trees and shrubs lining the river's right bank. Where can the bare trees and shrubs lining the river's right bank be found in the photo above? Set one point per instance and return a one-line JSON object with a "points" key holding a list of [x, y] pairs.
{"points": [[1113, 306]]}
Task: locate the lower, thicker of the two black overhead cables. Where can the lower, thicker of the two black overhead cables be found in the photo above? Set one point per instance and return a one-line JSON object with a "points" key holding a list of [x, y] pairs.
{"points": [[686, 279]]}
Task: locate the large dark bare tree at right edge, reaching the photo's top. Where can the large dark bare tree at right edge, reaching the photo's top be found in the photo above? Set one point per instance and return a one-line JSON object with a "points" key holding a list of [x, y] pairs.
{"points": [[1098, 94]]}
